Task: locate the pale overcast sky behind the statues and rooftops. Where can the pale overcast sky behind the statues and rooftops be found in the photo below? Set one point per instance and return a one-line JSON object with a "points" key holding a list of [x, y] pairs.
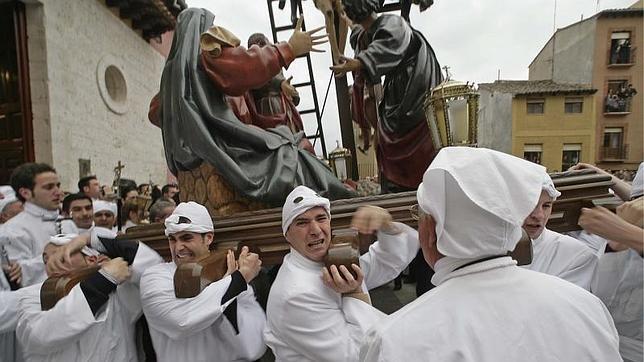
{"points": [[475, 38]]}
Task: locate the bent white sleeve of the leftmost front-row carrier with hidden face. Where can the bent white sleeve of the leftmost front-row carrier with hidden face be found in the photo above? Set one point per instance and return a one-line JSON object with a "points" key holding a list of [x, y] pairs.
{"points": [[43, 332]]}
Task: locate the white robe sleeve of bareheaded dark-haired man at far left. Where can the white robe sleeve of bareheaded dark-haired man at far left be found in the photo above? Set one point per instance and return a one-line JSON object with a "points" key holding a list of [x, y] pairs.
{"points": [[19, 247]]}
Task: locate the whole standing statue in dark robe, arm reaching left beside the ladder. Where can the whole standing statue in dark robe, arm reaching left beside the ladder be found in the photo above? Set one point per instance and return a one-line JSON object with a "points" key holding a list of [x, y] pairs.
{"points": [[388, 46]]}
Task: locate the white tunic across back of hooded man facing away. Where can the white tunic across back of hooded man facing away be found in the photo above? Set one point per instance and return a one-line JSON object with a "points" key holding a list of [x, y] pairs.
{"points": [[494, 311]]}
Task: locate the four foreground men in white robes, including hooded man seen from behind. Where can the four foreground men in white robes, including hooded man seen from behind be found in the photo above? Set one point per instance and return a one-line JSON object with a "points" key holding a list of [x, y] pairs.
{"points": [[484, 307]]}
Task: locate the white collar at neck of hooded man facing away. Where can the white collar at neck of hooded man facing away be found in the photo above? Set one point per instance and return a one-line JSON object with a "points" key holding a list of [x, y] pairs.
{"points": [[447, 268]]}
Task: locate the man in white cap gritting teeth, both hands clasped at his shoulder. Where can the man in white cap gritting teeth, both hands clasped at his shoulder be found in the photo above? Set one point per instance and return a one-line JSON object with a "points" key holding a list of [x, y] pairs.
{"points": [[225, 321]]}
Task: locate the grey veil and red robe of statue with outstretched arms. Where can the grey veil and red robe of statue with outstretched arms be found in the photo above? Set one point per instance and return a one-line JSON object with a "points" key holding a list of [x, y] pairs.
{"points": [[198, 125]]}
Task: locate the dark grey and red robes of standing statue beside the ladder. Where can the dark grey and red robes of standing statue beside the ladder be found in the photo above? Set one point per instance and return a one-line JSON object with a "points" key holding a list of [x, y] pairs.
{"points": [[393, 49]]}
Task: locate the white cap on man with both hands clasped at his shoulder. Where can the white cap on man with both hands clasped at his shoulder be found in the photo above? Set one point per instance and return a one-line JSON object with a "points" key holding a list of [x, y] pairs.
{"points": [[189, 216]]}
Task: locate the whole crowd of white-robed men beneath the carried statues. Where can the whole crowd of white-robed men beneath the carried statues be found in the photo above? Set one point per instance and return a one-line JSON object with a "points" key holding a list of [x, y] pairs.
{"points": [[579, 299]]}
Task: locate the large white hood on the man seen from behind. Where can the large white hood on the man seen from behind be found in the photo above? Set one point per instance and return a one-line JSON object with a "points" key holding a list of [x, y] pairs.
{"points": [[479, 199]]}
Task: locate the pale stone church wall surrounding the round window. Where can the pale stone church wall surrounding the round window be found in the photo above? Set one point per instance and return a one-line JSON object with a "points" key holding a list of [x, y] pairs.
{"points": [[68, 40]]}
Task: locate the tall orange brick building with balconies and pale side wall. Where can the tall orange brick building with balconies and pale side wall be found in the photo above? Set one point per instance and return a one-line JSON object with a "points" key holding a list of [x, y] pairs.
{"points": [[604, 51]]}
